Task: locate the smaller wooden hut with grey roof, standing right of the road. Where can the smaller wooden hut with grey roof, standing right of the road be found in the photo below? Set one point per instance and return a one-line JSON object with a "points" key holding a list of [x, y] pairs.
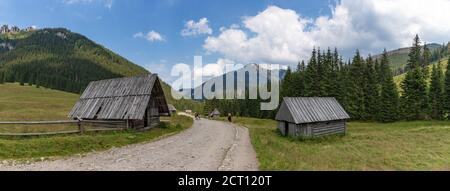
{"points": [[311, 117]]}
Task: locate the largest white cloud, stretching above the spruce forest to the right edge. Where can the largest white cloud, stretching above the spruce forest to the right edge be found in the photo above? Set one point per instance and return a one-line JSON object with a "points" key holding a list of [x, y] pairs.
{"points": [[283, 36]]}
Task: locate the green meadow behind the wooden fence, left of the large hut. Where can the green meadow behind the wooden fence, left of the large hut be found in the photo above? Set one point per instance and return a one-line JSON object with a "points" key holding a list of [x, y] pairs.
{"points": [[28, 103]]}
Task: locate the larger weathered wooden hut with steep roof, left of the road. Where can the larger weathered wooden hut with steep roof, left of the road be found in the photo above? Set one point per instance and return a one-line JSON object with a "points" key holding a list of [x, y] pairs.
{"points": [[138, 101]]}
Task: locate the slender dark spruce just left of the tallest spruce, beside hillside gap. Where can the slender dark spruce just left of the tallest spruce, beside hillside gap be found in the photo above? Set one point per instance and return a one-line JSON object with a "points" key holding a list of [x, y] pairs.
{"points": [[389, 98]]}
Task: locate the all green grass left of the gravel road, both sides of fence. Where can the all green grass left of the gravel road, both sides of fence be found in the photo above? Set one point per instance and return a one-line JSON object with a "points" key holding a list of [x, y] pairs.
{"points": [[19, 103]]}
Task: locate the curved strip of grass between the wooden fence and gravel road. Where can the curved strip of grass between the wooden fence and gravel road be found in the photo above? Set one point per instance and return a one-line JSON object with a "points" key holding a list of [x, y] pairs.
{"points": [[51, 146]]}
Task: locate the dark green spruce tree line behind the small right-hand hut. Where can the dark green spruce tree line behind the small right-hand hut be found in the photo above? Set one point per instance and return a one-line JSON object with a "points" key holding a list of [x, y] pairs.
{"points": [[364, 86]]}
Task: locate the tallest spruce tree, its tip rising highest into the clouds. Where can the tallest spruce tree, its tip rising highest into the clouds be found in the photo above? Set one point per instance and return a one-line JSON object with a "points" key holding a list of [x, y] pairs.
{"points": [[414, 97]]}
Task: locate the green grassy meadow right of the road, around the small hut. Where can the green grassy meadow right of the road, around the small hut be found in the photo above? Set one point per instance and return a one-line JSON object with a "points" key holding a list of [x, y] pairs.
{"points": [[421, 145]]}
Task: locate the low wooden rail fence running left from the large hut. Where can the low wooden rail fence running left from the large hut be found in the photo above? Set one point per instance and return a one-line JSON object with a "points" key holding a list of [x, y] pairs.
{"points": [[81, 124]]}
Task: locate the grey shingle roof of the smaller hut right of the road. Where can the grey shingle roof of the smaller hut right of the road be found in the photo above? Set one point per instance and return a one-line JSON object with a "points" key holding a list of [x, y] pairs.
{"points": [[300, 110]]}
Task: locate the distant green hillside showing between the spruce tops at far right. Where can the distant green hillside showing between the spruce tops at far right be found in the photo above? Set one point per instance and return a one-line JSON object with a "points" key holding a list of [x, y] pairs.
{"points": [[399, 57]]}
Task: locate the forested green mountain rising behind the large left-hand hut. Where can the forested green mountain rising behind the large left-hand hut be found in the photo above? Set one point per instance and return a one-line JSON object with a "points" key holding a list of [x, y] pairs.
{"points": [[63, 60]]}
